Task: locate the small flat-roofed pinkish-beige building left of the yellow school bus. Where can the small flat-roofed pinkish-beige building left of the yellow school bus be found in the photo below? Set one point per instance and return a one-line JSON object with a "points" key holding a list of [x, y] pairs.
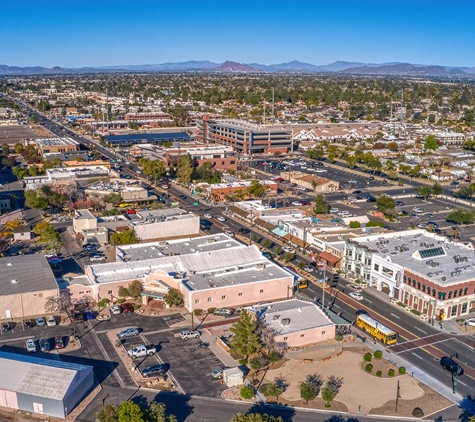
{"points": [[297, 323]]}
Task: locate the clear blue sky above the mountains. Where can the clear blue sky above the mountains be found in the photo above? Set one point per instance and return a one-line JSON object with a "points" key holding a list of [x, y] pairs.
{"points": [[104, 32]]}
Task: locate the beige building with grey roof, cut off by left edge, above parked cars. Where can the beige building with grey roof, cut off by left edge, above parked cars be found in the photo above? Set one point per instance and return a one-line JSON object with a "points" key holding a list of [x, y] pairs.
{"points": [[25, 283]]}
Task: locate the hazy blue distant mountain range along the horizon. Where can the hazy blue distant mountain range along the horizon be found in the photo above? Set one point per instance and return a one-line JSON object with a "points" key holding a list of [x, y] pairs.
{"points": [[339, 67]]}
